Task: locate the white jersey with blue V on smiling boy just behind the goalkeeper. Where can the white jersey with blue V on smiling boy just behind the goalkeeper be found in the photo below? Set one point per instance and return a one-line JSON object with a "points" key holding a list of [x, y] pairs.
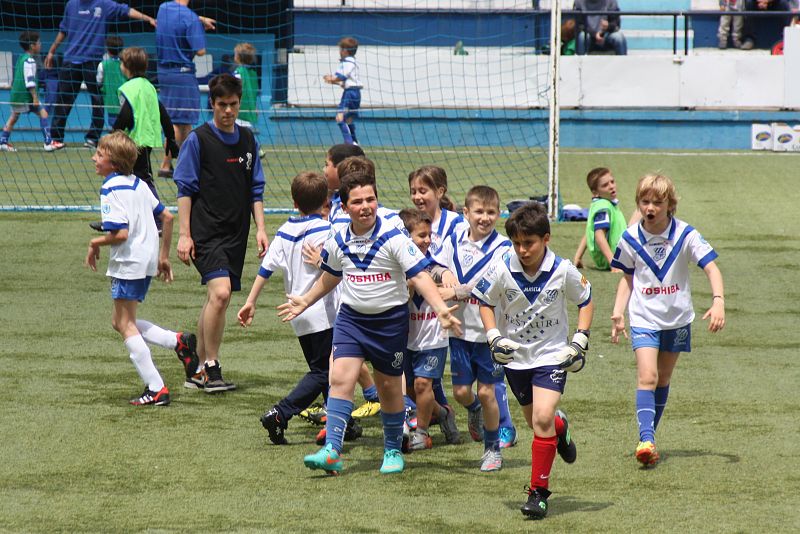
{"points": [[469, 260]]}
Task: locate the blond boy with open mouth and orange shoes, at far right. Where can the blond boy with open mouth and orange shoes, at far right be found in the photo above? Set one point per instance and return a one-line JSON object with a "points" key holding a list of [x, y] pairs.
{"points": [[654, 256]]}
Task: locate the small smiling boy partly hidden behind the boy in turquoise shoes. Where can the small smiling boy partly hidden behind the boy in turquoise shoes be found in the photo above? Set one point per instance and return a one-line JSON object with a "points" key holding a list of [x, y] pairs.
{"points": [[427, 348]]}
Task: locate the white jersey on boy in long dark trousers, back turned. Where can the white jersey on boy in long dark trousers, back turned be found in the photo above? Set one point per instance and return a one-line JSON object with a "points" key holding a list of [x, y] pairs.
{"points": [[285, 254]]}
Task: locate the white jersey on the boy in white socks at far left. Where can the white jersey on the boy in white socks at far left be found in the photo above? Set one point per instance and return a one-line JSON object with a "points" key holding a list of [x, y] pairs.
{"points": [[127, 202]]}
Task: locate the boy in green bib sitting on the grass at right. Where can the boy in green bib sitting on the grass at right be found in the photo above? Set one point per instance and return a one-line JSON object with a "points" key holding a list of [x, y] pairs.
{"points": [[605, 223]]}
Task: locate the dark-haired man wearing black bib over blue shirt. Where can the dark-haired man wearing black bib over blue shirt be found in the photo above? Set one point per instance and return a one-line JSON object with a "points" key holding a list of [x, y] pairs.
{"points": [[220, 182]]}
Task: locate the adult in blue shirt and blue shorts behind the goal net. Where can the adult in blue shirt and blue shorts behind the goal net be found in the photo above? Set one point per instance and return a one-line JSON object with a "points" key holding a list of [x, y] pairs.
{"points": [[180, 35]]}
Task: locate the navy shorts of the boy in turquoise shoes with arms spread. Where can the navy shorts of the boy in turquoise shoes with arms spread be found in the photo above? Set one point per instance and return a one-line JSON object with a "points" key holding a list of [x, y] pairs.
{"points": [[378, 338]]}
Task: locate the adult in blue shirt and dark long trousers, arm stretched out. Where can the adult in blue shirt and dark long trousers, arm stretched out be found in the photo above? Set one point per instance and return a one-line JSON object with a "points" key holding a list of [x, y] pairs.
{"points": [[84, 27]]}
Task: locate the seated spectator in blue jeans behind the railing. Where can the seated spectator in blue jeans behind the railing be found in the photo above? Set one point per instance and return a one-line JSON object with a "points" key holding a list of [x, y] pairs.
{"points": [[599, 32]]}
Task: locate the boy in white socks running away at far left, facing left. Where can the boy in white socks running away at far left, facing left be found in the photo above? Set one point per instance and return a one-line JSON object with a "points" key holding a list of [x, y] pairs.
{"points": [[128, 206]]}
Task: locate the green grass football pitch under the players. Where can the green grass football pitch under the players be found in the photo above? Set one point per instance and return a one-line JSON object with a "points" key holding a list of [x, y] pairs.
{"points": [[78, 458]]}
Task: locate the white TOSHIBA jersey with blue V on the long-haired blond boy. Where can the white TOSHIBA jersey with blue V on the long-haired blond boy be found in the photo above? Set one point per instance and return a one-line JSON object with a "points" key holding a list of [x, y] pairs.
{"points": [[661, 298]]}
